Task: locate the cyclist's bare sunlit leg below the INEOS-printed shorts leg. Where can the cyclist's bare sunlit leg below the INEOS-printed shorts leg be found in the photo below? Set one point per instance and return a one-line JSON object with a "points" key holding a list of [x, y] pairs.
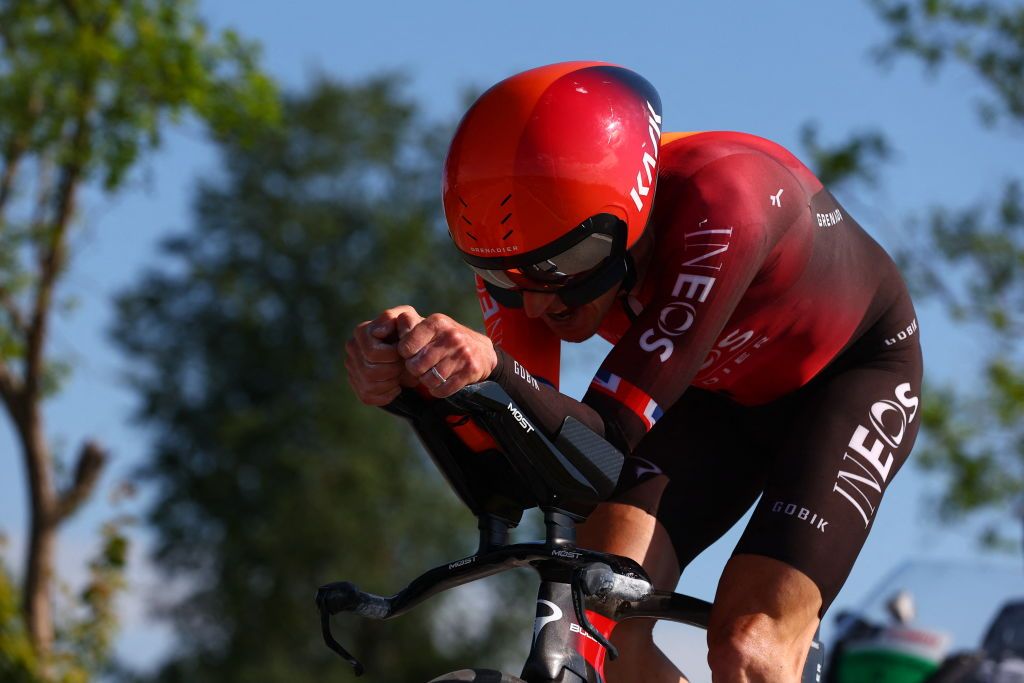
{"points": [[763, 621]]}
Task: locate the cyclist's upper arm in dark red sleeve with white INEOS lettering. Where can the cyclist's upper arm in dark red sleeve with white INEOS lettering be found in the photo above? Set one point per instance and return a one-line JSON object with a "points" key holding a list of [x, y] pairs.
{"points": [[721, 226]]}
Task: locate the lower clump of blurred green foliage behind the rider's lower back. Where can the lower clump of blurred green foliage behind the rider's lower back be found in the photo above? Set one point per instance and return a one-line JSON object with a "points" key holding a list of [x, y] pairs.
{"points": [[973, 263]]}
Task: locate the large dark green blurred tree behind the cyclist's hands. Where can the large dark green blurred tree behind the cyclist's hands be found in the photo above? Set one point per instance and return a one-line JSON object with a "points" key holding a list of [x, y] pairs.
{"points": [[271, 478]]}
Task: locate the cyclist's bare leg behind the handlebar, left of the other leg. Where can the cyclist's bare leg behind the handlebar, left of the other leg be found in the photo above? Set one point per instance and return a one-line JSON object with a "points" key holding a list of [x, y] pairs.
{"points": [[624, 530]]}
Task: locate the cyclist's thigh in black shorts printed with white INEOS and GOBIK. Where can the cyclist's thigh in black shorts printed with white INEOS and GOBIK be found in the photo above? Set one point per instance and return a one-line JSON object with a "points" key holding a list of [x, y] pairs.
{"points": [[837, 445]]}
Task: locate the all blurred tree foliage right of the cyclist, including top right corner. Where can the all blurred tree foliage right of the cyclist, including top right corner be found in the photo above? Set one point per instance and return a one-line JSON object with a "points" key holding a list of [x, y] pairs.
{"points": [[970, 260]]}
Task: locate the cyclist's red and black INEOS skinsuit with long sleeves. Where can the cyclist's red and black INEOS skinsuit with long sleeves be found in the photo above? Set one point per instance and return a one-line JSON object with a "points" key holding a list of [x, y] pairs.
{"points": [[771, 350]]}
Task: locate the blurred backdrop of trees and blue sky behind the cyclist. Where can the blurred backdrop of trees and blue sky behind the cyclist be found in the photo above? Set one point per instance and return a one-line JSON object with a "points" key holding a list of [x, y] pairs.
{"points": [[199, 201]]}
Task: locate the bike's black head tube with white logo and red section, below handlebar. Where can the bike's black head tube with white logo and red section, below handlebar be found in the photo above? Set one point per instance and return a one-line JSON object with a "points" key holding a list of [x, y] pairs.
{"points": [[563, 652]]}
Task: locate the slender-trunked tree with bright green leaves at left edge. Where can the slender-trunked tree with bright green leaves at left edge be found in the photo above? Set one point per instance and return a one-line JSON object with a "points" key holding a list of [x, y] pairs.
{"points": [[87, 88]]}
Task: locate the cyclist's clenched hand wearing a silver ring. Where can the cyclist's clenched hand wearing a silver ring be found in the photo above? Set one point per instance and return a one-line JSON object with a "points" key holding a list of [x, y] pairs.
{"points": [[445, 356]]}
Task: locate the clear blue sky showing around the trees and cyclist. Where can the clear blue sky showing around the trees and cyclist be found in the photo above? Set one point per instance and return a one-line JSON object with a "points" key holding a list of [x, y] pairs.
{"points": [[755, 67]]}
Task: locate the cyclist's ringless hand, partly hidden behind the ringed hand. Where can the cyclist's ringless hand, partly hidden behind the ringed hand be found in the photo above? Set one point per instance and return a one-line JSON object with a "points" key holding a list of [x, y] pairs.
{"points": [[376, 371]]}
